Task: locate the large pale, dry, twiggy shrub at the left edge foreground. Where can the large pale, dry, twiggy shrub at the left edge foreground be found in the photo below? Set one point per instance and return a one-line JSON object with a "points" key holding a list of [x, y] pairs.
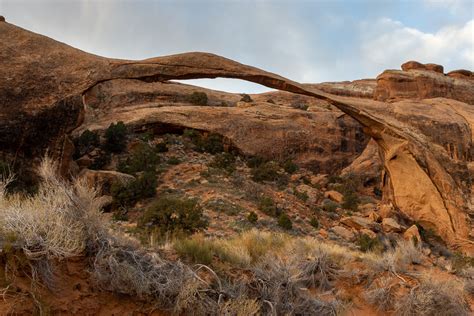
{"points": [[61, 220]]}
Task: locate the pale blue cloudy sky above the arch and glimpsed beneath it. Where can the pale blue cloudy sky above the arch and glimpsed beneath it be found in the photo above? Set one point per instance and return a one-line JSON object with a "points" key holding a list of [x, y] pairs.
{"points": [[307, 41]]}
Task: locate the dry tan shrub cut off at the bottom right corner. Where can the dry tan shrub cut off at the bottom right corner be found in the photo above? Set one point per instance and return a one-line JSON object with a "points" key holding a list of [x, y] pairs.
{"points": [[433, 298]]}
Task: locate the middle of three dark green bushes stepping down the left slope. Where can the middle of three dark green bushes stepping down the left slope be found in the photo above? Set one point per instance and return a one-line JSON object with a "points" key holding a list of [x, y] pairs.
{"points": [[142, 158]]}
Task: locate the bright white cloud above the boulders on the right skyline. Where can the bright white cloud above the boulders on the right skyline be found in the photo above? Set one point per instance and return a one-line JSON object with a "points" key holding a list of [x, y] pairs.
{"points": [[387, 43]]}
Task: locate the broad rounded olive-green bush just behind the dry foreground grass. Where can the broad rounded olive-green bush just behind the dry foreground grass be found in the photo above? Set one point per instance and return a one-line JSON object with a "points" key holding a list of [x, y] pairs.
{"points": [[172, 214]]}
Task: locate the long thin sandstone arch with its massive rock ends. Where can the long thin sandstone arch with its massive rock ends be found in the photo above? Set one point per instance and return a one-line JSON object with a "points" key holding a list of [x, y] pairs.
{"points": [[43, 97]]}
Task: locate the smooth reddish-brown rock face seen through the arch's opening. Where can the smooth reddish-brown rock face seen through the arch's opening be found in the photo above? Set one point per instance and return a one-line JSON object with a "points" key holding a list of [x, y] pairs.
{"points": [[321, 140]]}
